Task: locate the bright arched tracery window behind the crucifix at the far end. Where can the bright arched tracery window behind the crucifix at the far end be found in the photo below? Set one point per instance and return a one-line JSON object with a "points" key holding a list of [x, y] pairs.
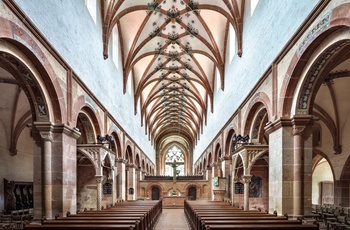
{"points": [[174, 157]]}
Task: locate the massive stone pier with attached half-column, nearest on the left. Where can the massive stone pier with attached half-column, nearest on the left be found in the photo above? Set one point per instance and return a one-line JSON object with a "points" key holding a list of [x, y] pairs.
{"points": [[55, 169]]}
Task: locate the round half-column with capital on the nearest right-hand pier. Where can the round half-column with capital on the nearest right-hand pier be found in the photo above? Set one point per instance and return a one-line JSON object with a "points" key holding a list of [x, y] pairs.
{"points": [[300, 134]]}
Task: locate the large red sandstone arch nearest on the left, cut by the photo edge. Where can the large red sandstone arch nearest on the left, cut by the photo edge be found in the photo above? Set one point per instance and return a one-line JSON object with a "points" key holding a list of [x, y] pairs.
{"points": [[39, 61]]}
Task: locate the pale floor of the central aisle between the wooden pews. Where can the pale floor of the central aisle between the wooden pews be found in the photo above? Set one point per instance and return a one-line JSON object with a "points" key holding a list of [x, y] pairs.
{"points": [[172, 219]]}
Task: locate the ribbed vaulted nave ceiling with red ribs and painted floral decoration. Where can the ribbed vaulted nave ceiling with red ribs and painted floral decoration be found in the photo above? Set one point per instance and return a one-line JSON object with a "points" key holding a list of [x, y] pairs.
{"points": [[173, 50]]}
